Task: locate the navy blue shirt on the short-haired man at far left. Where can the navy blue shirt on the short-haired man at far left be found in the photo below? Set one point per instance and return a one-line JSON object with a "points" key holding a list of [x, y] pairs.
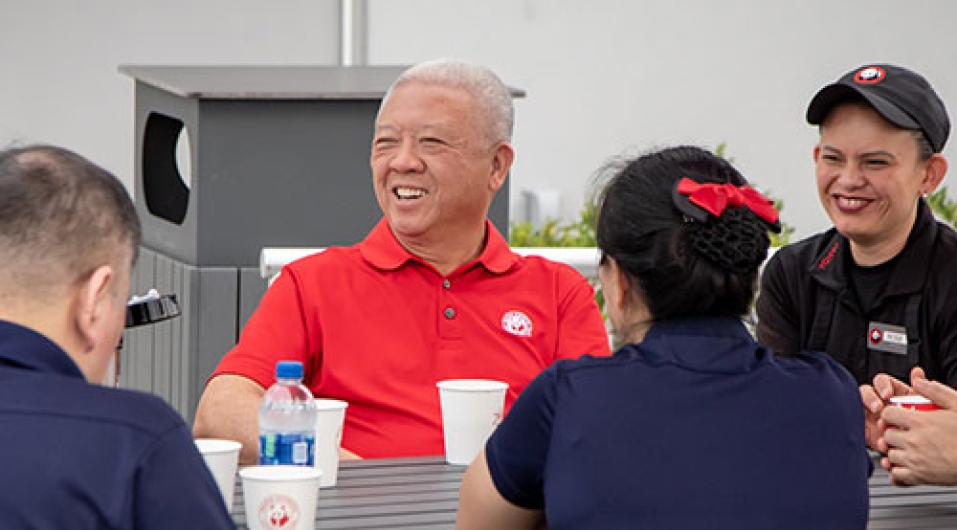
{"points": [[81, 456]]}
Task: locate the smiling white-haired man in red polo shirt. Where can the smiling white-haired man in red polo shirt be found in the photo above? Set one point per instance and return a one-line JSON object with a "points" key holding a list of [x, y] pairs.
{"points": [[432, 293]]}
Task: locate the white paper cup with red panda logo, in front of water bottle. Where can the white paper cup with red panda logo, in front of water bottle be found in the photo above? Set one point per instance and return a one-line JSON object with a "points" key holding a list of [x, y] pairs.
{"points": [[280, 497]]}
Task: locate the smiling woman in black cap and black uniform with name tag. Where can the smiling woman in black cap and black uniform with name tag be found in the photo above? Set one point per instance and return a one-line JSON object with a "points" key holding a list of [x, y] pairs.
{"points": [[878, 291]]}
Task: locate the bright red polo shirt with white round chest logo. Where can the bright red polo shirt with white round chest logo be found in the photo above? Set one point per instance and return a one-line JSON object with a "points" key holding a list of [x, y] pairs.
{"points": [[378, 327]]}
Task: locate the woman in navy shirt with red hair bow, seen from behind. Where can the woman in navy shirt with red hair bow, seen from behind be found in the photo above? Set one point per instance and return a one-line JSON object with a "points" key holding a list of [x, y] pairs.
{"points": [[691, 424]]}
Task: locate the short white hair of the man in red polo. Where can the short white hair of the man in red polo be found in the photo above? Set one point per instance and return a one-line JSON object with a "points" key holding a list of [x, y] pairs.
{"points": [[492, 98]]}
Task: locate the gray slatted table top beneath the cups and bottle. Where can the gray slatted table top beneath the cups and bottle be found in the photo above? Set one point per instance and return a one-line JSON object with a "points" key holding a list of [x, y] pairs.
{"points": [[408, 493]]}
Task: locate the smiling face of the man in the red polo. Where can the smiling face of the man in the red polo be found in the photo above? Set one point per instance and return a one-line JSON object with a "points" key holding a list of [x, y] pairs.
{"points": [[434, 172]]}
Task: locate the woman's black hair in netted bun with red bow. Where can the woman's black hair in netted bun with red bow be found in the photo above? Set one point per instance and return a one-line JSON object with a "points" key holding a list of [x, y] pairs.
{"points": [[683, 260]]}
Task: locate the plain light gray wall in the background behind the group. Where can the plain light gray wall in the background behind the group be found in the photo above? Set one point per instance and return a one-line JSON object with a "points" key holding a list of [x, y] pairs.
{"points": [[602, 76]]}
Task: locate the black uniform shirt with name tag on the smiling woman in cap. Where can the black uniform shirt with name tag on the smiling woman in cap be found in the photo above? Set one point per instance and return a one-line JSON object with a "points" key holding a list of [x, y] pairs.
{"points": [[808, 303]]}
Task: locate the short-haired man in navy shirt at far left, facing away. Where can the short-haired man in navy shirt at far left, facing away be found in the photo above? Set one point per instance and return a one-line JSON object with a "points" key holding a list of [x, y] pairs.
{"points": [[79, 455]]}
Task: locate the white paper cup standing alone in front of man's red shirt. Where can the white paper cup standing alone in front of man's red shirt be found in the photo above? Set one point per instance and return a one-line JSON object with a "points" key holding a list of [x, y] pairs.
{"points": [[471, 409]]}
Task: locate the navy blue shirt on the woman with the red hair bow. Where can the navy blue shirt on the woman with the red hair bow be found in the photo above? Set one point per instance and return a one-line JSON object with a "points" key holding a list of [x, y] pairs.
{"points": [[696, 427]]}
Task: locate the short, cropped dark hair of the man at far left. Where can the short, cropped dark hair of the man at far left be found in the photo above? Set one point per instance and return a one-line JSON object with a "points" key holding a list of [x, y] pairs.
{"points": [[60, 214]]}
